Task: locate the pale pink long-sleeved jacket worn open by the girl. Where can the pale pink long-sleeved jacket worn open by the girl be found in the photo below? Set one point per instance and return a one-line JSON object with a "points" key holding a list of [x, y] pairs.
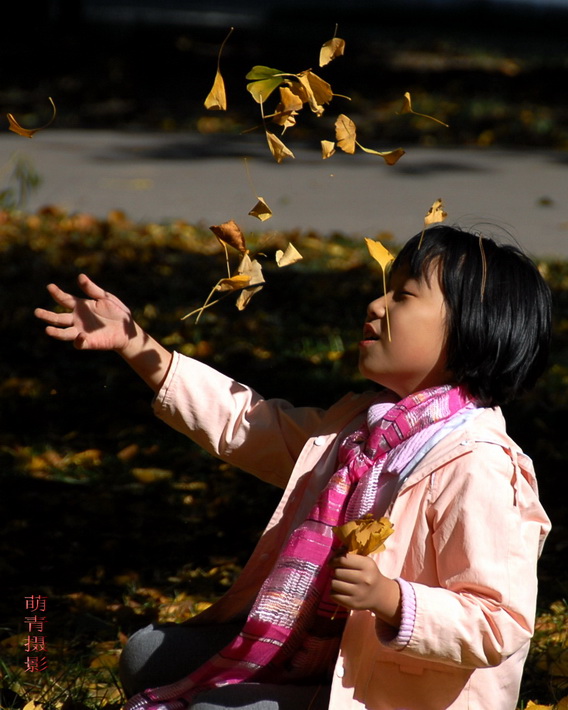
{"points": [[468, 531]]}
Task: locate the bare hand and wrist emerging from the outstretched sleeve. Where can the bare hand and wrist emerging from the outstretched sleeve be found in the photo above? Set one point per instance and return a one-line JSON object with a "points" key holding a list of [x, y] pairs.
{"points": [[102, 322]]}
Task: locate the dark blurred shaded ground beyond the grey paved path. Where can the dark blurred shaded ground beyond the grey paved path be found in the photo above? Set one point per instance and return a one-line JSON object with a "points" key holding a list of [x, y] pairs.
{"points": [[494, 68]]}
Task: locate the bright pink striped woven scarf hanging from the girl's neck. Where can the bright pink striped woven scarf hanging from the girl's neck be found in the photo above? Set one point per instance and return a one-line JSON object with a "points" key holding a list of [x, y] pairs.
{"points": [[294, 628]]}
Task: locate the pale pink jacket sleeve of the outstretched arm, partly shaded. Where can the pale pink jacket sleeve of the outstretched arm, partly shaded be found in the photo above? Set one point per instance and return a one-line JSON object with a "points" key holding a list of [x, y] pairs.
{"points": [[233, 422]]}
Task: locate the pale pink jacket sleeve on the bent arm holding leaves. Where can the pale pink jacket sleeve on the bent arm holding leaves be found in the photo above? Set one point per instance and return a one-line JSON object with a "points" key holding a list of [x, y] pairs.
{"points": [[487, 527]]}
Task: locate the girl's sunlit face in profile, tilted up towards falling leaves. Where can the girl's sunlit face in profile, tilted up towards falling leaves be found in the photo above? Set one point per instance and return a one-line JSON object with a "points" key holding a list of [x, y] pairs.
{"points": [[415, 357]]}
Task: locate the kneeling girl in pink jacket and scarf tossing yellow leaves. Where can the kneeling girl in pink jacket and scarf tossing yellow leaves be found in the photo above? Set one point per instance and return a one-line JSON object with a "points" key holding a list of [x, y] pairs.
{"points": [[442, 618]]}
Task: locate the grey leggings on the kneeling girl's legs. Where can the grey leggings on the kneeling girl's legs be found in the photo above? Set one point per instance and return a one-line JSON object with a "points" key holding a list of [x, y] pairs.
{"points": [[162, 654]]}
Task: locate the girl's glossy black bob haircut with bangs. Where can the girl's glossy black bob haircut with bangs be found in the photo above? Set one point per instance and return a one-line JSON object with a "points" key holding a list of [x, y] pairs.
{"points": [[498, 310]]}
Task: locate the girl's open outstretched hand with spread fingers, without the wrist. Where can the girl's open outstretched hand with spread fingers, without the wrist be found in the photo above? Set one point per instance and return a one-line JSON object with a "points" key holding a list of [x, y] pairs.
{"points": [[99, 322]]}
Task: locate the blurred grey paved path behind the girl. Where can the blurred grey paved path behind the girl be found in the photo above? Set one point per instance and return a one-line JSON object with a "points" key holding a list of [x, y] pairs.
{"points": [[157, 177]]}
